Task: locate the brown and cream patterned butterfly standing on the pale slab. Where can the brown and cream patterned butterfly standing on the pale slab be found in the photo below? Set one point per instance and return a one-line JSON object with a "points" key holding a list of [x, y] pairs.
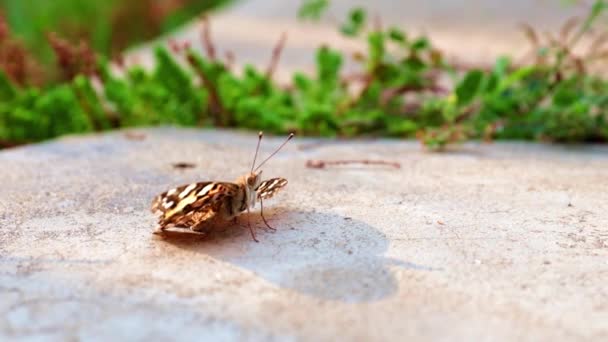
{"points": [[201, 206]]}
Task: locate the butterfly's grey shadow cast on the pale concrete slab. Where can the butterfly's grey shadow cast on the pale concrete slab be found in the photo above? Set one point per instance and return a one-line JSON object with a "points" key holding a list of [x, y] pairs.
{"points": [[318, 254]]}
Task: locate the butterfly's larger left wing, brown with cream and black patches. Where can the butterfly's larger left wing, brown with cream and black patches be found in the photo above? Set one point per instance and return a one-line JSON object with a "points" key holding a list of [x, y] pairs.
{"points": [[190, 204]]}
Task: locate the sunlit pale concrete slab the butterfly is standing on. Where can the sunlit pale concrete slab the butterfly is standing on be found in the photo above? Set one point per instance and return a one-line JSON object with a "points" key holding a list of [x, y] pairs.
{"points": [[495, 242]]}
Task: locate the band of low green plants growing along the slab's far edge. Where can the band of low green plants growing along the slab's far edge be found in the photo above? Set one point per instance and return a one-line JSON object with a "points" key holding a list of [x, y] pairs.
{"points": [[400, 91]]}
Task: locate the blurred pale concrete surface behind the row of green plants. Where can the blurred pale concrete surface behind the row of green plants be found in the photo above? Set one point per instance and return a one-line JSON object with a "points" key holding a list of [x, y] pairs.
{"points": [[469, 31]]}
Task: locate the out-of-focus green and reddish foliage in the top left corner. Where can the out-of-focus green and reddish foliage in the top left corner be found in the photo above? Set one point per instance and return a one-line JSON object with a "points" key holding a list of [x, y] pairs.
{"points": [[107, 26]]}
